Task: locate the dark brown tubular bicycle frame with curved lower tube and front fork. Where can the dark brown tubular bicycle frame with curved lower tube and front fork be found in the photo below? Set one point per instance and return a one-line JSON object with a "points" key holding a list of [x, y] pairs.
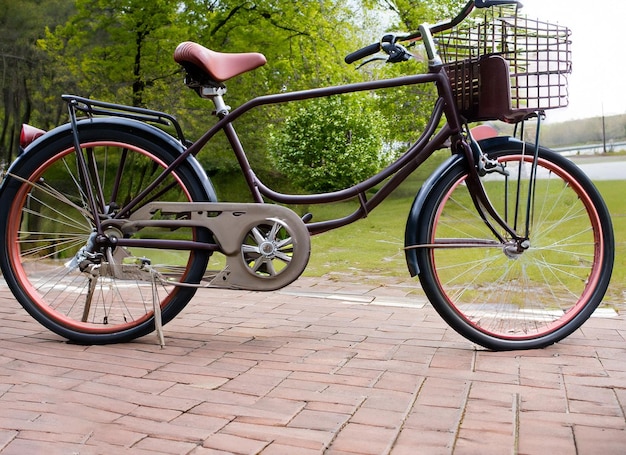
{"points": [[429, 141]]}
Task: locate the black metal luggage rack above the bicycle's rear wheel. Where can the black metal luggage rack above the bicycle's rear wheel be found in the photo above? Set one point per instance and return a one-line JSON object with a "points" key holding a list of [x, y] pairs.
{"points": [[93, 108]]}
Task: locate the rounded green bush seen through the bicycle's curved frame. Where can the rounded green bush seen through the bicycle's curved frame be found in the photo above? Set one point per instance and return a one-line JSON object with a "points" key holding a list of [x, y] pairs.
{"points": [[331, 143]]}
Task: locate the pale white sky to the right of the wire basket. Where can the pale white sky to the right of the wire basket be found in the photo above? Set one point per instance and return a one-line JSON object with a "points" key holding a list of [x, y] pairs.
{"points": [[597, 84]]}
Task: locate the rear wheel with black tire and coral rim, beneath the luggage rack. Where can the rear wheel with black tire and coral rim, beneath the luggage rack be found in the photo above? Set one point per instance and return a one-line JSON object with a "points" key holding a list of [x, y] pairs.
{"points": [[46, 221]]}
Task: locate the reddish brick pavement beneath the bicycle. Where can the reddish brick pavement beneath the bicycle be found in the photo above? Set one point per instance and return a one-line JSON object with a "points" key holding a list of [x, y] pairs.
{"points": [[319, 367]]}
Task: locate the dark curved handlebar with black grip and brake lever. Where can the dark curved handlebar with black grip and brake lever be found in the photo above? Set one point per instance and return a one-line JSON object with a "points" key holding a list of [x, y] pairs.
{"points": [[397, 52]]}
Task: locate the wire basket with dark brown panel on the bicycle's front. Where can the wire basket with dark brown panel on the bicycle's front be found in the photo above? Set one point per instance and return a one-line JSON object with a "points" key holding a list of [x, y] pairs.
{"points": [[505, 66]]}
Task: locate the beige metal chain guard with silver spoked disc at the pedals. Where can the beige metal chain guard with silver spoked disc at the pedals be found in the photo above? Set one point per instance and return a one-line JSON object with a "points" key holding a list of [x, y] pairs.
{"points": [[266, 246]]}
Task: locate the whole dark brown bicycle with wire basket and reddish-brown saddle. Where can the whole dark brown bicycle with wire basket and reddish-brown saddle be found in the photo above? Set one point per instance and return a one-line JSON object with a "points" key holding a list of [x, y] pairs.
{"points": [[109, 221]]}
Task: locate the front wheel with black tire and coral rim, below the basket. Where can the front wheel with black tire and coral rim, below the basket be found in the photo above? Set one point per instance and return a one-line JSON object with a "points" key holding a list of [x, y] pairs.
{"points": [[505, 294]]}
